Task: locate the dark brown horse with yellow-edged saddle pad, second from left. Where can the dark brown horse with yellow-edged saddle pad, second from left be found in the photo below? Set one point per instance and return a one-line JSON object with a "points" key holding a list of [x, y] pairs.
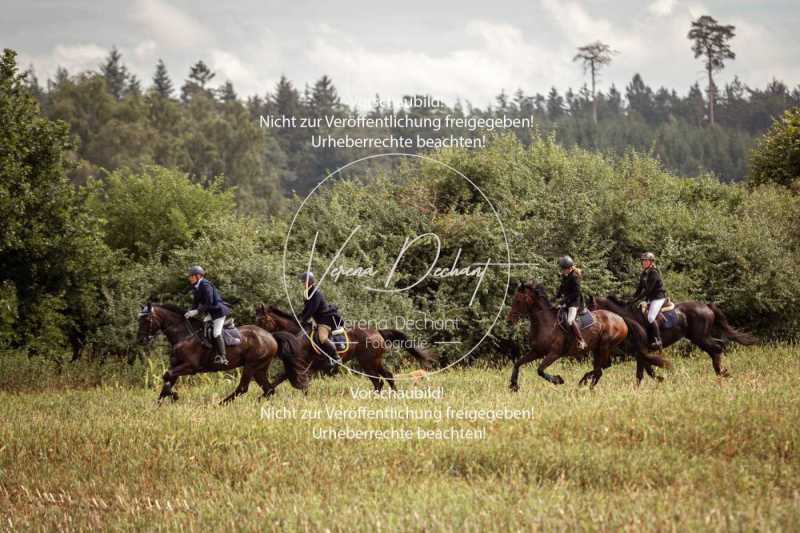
{"points": [[365, 345]]}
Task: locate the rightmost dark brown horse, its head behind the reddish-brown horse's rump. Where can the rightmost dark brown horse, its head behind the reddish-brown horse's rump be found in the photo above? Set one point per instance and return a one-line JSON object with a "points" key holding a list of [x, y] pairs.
{"points": [[705, 325]]}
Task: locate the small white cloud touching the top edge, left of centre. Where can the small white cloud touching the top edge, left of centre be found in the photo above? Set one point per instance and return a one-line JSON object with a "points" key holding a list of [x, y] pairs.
{"points": [[169, 25]]}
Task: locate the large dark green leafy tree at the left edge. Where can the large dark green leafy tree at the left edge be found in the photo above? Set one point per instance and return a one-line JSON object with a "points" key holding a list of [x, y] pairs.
{"points": [[49, 245]]}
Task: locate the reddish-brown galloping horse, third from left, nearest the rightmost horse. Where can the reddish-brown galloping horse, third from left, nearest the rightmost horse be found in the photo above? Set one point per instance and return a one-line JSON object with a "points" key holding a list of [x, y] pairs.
{"points": [[551, 342]]}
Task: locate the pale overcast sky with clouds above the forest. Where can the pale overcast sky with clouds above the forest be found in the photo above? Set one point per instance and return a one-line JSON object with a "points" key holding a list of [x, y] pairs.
{"points": [[466, 50]]}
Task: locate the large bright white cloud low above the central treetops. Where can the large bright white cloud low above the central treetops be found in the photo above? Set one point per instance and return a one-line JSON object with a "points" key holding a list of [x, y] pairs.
{"points": [[497, 56]]}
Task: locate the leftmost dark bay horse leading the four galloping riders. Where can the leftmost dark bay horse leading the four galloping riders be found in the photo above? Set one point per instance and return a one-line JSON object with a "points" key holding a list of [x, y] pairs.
{"points": [[189, 355]]}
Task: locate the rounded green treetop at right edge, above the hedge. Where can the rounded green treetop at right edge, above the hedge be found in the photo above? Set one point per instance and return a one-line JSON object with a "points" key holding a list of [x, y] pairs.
{"points": [[776, 158]]}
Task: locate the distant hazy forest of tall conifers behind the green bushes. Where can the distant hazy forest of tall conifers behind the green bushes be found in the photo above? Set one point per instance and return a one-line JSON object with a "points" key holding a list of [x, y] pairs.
{"points": [[206, 129]]}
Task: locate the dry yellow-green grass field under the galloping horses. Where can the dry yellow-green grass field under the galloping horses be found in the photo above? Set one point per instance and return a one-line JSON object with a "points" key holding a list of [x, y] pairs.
{"points": [[88, 449]]}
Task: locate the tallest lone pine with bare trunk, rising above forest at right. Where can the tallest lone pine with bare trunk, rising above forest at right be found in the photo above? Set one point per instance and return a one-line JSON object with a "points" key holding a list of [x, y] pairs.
{"points": [[711, 41]]}
